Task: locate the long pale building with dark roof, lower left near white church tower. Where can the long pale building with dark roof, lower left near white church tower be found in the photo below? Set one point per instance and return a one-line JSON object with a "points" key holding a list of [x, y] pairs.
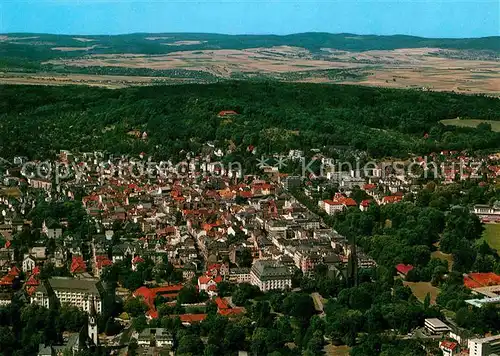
{"points": [[70, 291]]}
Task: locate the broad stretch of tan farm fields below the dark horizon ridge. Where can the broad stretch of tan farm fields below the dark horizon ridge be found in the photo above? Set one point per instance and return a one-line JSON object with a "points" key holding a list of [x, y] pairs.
{"points": [[417, 68]]}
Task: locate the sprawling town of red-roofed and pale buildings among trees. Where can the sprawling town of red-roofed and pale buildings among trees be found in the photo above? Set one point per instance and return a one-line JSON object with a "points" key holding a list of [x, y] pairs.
{"points": [[171, 260]]}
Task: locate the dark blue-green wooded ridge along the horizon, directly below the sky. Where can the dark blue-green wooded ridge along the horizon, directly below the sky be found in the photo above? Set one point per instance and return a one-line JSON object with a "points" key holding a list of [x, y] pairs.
{"points": [[40, 46]]}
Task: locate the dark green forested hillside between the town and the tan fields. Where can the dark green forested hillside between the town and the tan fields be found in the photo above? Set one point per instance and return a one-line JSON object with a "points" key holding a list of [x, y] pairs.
{"points": [[38, 121]]}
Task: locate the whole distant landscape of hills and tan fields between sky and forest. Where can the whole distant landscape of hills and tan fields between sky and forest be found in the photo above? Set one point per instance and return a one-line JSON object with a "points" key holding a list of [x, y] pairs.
{"points": [[461, 65]]}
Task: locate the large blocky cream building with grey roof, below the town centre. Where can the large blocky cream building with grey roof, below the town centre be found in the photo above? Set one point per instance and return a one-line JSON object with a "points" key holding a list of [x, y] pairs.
{"points": [[270, 274]]}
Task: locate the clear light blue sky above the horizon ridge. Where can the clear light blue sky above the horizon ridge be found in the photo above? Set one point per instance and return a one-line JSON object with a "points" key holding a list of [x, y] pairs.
{"points": [[426, 18]]}
